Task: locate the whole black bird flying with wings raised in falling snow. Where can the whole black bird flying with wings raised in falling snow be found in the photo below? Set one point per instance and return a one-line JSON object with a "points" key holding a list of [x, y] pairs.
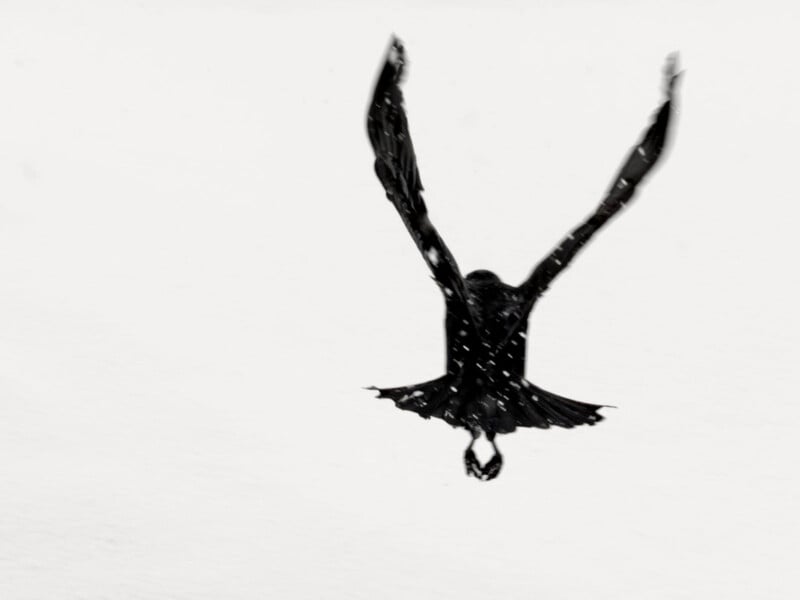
{"points": [[484, 389]]}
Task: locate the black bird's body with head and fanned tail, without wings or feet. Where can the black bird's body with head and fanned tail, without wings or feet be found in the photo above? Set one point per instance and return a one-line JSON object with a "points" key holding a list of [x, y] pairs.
{"points": [[484, 388]]}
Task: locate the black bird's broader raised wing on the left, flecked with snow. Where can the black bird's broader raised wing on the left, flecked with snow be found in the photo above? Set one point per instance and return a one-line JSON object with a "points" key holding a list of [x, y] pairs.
{"points": [[396, 167]]}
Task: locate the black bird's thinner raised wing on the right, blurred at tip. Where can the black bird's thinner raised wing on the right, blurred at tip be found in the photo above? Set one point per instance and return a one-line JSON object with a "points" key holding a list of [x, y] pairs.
{"points": [[642, 158]]}
